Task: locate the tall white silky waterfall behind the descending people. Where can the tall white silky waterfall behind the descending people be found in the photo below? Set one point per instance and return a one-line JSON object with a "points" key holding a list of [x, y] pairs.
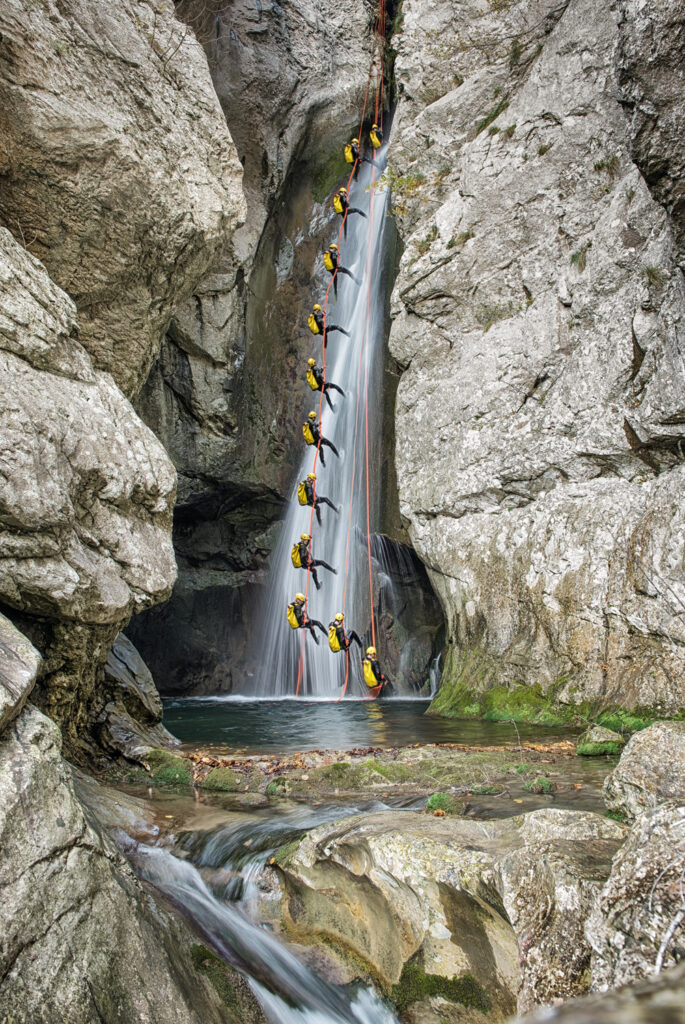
{"points": [[355, 364]]}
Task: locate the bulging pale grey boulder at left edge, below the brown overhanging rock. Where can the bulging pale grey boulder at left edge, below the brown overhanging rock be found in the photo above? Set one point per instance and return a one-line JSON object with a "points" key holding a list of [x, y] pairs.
{"points": [[88, 492]]}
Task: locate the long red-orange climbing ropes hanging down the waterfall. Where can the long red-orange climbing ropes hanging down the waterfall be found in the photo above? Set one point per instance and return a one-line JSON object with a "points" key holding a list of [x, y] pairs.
{"points": [[379, 46]]}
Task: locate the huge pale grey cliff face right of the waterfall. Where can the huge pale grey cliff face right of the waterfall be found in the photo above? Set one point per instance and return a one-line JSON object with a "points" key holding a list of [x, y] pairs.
{"points": [[538, 321]]}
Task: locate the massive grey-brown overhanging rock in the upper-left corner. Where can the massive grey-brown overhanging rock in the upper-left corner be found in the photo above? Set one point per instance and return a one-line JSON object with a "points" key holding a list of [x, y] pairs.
{"points": [[117, 165]]}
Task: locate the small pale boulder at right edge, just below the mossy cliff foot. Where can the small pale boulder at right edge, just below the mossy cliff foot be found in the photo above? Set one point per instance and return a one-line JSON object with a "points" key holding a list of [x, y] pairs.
{"points": [[652, 771]]}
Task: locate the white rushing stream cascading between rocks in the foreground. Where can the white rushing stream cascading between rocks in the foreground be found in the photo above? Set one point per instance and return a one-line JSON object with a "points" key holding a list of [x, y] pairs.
{"points": [[216, 886]]}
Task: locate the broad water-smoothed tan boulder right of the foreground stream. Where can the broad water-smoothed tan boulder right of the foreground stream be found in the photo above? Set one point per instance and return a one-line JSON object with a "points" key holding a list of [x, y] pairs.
{"points": [[469, 897]]}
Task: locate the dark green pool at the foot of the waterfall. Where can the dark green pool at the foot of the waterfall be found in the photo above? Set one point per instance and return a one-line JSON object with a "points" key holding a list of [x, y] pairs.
{"points": [[282, 727]]}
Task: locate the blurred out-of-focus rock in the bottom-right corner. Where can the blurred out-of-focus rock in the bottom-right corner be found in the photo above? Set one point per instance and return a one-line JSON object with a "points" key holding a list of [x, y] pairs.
{"points": [[659, 1001]]}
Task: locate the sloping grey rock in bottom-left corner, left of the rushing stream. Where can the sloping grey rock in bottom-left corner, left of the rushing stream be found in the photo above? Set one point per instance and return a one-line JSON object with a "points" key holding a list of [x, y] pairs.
{"points": [[82, 941]]}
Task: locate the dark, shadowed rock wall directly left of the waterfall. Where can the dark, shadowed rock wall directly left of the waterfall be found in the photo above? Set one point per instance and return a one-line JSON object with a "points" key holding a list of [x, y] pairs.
{"points": [[227, 395]]}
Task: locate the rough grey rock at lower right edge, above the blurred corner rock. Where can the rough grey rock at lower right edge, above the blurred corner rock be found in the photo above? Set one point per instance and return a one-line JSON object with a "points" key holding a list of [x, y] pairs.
{"points": [[635, 929]]}
